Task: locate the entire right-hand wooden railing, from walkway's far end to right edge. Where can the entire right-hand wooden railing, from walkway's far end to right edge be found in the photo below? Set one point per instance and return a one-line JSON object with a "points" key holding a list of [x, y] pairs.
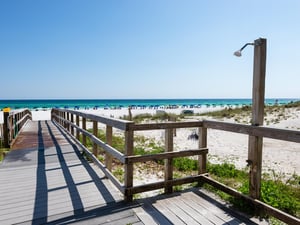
{"points": [[66, 119]]}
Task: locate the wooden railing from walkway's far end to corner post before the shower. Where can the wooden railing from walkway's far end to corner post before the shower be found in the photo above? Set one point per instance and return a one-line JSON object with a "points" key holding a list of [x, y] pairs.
{"points": [[66, 119]]}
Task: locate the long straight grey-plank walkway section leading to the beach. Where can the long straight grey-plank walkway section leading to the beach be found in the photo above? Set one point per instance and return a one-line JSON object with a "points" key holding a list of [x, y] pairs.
{"points": [[51, 180]]}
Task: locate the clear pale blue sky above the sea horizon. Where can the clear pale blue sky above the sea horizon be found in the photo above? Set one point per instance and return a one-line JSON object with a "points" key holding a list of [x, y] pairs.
{"points": [[145, 49]]}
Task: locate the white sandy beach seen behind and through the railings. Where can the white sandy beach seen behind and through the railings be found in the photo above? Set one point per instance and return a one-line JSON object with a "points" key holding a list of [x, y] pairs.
{"points": [[280, 157]]}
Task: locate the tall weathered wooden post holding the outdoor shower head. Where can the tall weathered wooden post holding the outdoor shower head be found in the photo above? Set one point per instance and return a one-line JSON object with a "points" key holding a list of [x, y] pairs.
{"points": [[258, 98]]}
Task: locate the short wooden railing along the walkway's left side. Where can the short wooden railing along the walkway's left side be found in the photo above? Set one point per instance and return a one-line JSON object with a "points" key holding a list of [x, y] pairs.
{"points": [[13, 123]]}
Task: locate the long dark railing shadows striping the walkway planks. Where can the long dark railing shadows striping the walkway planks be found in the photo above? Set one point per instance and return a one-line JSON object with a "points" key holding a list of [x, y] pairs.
{"points": [[41, 208]]}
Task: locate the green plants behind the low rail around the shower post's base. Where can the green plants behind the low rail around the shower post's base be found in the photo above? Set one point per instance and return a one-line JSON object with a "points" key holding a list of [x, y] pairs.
{"points": [[271, 189]]}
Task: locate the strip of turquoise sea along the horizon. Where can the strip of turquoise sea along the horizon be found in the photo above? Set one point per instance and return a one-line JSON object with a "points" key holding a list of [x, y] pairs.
{"points": [[120, 103]]}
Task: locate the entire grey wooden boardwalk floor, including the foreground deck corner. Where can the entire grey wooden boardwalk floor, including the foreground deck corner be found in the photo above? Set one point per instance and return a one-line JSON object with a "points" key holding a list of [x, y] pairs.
{"points": [[45, 180]]}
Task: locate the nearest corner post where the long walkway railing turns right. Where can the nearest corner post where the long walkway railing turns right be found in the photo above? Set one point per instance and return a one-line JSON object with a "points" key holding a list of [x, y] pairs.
{"points": [[128, 181]]}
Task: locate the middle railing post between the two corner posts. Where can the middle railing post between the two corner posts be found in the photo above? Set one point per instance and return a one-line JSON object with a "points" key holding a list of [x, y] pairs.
{"points": [[168, 162]]}
